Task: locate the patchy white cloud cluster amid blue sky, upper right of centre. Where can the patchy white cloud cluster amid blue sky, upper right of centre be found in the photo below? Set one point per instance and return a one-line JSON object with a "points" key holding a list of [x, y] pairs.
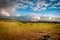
{"points": [[39, 6]]}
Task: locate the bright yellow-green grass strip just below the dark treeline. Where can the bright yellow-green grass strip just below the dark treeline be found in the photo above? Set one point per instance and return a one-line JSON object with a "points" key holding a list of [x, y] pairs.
{"points": [[25, 26]]}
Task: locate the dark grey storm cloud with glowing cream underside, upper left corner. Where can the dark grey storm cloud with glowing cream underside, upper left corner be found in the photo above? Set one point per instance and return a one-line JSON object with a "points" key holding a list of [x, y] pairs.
{"points": [[5, 7]]}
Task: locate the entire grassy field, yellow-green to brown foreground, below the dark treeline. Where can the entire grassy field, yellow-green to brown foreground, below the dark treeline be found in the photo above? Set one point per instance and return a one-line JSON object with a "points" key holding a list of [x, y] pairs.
{"points": [[29, 31]]}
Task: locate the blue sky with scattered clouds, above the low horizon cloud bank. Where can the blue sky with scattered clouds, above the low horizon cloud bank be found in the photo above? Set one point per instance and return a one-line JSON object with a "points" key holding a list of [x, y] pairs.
{"points": [[40, 7]]}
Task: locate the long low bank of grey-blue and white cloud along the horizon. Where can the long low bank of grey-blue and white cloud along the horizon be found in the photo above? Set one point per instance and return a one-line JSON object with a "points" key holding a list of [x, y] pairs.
{"points": [[34, 17]]}
